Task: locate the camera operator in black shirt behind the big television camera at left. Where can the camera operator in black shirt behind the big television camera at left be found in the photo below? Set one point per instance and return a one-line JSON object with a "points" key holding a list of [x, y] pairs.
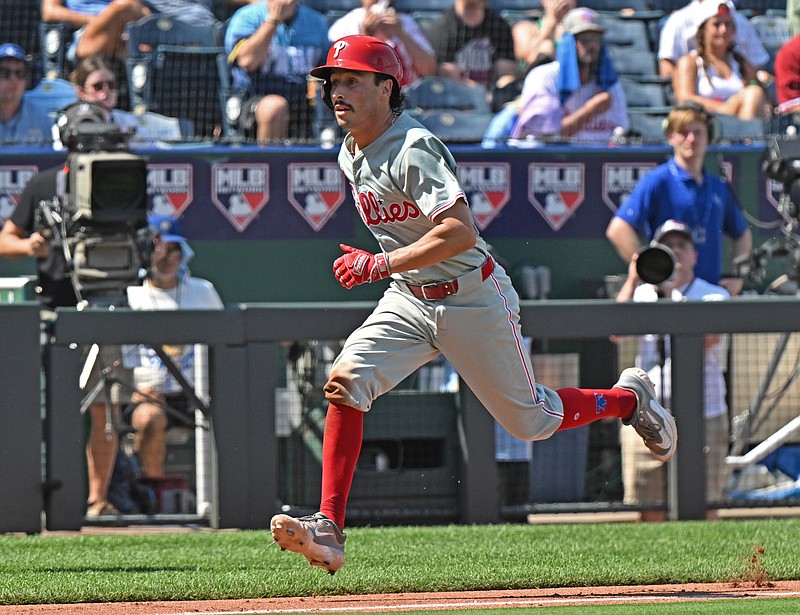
{"points": [[25, 234]]}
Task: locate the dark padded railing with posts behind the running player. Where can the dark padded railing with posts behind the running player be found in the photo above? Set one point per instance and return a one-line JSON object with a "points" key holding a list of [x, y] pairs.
{"points": [[243, 346]]}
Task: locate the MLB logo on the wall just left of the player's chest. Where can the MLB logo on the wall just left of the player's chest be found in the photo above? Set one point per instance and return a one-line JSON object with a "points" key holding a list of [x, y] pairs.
{"points": [[315, 190]]}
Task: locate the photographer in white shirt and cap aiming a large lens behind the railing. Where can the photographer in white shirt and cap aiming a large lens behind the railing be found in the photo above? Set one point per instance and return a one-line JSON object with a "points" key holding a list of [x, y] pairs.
{"points": [[643, 477]]}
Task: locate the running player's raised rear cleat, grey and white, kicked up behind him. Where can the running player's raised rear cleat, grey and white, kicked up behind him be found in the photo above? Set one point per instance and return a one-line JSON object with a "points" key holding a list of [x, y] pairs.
{"points": [[651, 420]]}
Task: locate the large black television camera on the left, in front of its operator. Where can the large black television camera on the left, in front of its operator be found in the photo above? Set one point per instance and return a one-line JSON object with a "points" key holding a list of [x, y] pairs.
{"points": [[99, 215]]}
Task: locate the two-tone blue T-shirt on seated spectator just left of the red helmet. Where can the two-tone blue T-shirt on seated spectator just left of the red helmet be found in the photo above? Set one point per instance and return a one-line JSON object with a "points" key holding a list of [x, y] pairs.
{"points": [[295, 49]]}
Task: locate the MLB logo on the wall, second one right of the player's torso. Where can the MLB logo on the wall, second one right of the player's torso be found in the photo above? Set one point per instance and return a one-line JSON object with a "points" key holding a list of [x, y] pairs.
{"points": [[556, 190]]}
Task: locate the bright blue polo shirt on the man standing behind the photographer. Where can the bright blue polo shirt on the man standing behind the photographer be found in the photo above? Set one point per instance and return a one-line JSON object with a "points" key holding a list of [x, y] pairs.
{"points": [[709, 209]]}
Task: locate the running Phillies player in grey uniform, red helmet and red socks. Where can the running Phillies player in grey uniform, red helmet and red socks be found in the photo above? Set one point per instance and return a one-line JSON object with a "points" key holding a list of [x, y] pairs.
{"points": [[446, 296]]}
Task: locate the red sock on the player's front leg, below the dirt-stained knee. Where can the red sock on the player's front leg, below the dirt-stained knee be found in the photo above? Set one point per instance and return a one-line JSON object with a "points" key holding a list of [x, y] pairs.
{"points": [[341, 446]]}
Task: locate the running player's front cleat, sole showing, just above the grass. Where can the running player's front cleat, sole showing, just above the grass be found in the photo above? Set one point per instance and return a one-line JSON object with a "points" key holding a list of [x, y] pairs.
{"points": [[316, 537]]}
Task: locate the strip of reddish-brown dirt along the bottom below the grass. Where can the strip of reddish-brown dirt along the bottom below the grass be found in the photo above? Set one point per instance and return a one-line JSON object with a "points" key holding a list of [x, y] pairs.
{"points": [[445, 600]]}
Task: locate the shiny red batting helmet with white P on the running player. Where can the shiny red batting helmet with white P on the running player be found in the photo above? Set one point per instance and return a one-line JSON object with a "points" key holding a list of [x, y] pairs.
{"points": [[363, 53]]}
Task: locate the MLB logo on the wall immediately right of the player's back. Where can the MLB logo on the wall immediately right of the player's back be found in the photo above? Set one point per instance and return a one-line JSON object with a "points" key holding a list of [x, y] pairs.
{"points": [[487, 186]]}
